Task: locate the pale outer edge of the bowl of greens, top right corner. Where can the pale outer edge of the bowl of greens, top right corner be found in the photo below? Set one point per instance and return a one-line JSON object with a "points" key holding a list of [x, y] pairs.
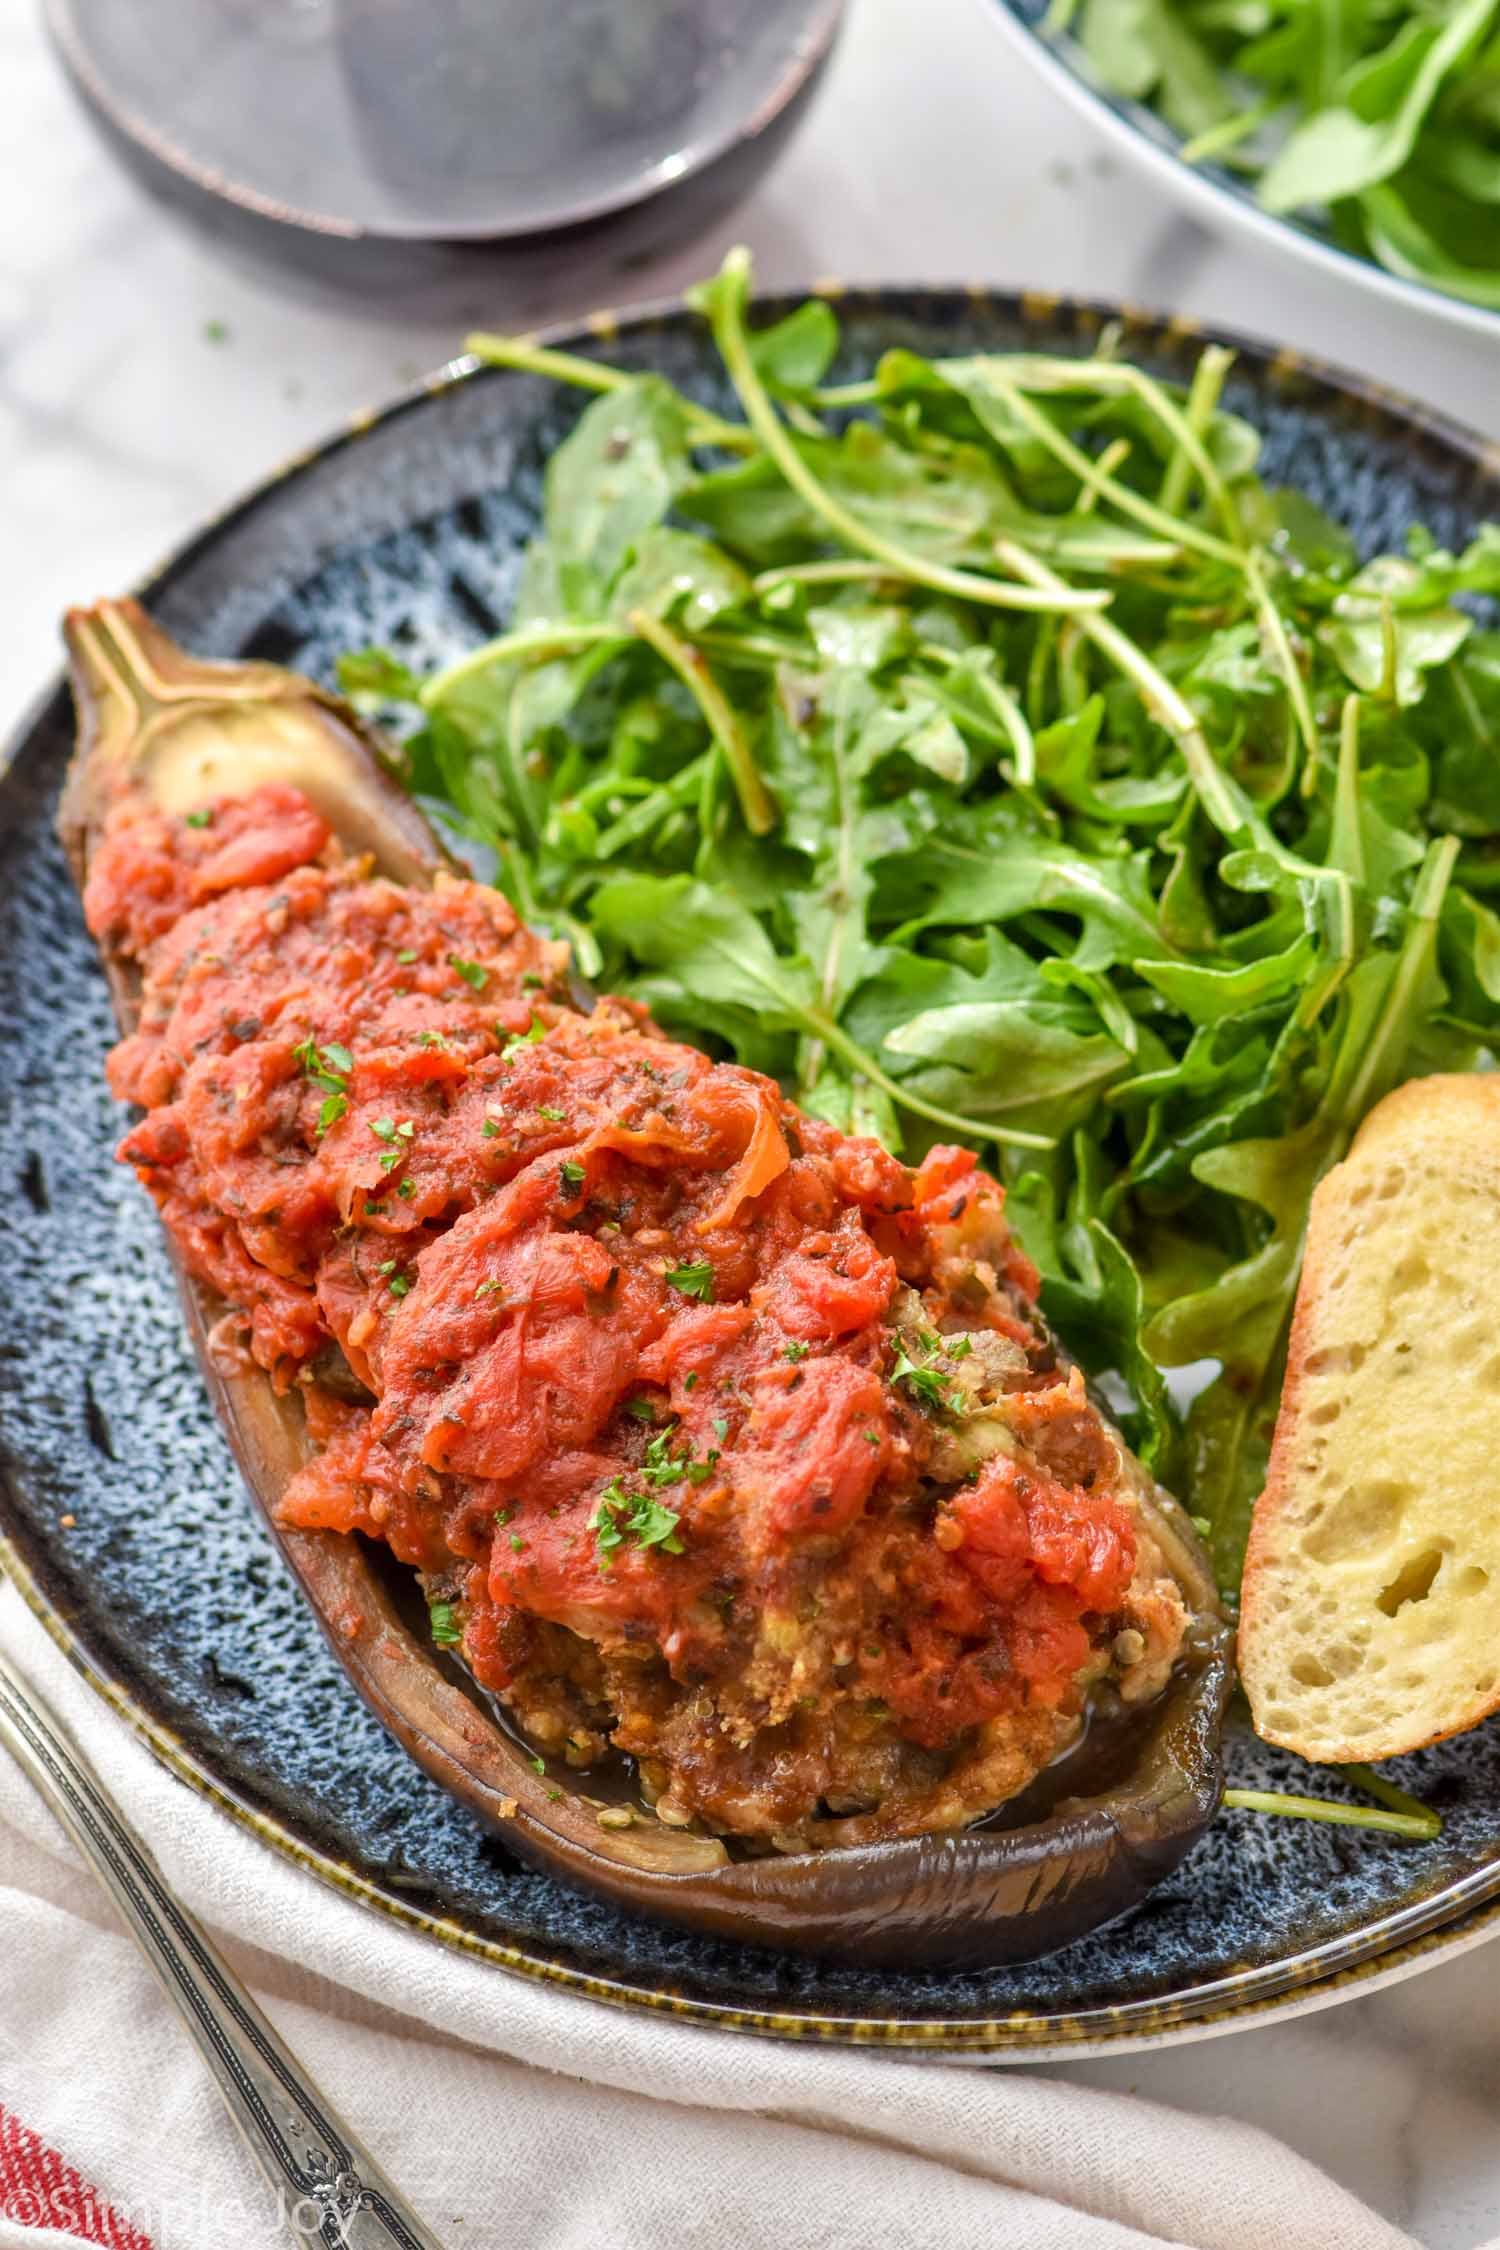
{"points": [[1216, 195]]}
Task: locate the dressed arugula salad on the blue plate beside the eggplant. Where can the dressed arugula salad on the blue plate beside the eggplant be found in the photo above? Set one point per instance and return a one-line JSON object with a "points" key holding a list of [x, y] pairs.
{"points": [[986, 753]]}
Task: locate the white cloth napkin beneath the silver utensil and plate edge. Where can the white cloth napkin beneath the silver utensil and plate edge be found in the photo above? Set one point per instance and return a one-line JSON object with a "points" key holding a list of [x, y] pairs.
{"points": [[521, 2118]]}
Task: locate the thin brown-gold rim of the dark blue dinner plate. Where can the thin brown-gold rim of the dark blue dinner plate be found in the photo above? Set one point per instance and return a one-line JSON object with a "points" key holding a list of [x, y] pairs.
{"points": [[1341, 1968]]}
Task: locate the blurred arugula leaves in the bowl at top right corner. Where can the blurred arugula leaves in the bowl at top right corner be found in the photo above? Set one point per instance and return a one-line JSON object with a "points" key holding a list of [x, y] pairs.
{"points": [[1380, 114]]}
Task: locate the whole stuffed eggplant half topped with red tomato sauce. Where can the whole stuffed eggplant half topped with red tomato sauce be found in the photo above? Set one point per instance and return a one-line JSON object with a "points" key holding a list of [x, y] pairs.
{"points": [[802, 1590]]}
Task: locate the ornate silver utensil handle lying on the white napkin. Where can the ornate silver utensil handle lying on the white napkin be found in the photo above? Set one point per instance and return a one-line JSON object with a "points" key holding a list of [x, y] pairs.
{"points": [[327, 2184]]}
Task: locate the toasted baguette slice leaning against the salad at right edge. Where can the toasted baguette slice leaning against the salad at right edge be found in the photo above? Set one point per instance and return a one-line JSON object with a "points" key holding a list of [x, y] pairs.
{"points": [[1371, 1608]]}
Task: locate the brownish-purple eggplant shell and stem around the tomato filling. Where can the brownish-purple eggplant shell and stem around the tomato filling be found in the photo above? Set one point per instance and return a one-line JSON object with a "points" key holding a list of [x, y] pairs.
{"points": [[179, 732]]}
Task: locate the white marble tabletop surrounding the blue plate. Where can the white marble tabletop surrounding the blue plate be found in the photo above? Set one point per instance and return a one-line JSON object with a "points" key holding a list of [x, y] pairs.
{"points": [[147, 375]]}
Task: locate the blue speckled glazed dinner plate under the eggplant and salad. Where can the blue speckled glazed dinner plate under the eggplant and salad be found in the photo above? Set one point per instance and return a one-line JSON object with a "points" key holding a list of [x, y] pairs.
{"points": [[123, 1513]]}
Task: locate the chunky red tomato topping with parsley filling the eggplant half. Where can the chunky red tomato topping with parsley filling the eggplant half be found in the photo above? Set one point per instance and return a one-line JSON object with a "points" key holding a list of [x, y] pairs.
{"points": [[719, 1437]]}
